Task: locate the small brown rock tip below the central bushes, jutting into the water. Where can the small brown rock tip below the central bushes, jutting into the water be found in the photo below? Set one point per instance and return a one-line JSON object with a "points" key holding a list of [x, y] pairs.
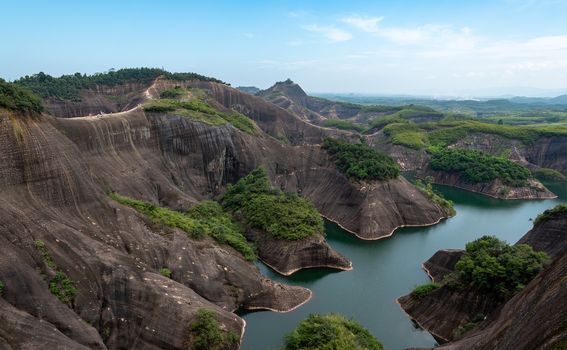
{"points": [[287, 257]]}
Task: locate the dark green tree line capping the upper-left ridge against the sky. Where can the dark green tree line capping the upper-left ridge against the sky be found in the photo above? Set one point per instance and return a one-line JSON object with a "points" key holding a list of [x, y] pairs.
{"points": [[68, 87]]}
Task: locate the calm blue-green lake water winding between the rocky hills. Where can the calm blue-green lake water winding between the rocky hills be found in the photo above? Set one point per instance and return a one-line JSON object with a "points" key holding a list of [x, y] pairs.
{"points": [[389, 268]]}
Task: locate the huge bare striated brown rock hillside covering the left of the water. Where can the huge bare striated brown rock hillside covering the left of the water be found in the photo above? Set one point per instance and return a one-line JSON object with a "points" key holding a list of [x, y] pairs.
{"points": [[54, 175]]}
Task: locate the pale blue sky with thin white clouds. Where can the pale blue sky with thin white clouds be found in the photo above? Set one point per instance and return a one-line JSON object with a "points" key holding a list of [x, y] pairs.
{"points": [[420, 47]]}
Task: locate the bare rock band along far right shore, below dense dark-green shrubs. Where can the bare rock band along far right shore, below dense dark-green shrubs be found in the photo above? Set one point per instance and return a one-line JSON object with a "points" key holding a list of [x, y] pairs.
{"points": [[496, 189]]}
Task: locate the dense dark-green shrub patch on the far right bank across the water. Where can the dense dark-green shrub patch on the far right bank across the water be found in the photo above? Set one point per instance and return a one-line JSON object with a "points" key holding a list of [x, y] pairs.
{"points": [[475, 166]]}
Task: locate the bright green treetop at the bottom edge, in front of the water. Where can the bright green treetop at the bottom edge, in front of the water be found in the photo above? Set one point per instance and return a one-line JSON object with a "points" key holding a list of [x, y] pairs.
{"points": [[330, 332]]}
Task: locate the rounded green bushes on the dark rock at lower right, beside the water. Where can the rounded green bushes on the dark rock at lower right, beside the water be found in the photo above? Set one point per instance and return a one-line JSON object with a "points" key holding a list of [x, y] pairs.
{"points": [[491, 265]]}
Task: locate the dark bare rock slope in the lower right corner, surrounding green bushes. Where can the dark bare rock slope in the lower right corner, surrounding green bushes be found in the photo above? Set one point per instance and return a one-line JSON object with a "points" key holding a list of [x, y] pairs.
{"points": [[527, 321]]}
